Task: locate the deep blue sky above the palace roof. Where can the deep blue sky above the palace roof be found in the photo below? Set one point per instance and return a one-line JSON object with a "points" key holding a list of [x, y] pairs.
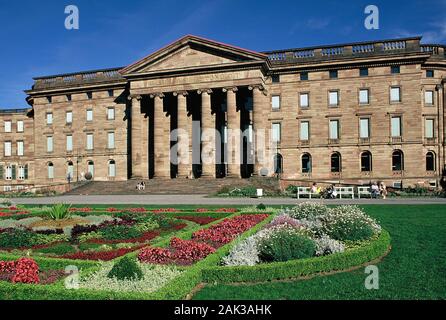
{"points": [[116, 33]]}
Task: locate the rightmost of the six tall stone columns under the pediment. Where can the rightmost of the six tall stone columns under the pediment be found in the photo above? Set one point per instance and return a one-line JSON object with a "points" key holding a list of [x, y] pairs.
{"points": [[260, 106]]}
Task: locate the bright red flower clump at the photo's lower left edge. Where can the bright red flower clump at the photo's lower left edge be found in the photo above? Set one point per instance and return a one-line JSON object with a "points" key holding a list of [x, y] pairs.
{"points": [[24, 270]]}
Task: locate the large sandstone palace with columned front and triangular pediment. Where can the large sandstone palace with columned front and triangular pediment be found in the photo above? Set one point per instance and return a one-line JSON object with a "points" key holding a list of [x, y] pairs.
{"points": [[351, 113]]}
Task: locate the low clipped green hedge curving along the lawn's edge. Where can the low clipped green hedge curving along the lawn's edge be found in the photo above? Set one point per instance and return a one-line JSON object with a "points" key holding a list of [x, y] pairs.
{"points": [[301, 267]]}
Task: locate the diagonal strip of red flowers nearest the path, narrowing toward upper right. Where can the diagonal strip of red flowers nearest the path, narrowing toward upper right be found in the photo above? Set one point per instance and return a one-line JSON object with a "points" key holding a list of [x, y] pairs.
{"points": [[228, 229]]}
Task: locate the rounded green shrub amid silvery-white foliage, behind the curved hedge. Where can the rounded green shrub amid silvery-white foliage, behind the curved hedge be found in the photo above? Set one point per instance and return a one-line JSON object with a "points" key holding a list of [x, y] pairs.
{"points": [[286, 244]]}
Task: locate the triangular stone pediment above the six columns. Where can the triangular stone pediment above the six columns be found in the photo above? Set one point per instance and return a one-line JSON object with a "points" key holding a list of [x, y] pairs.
{"points": [[192, 52]]}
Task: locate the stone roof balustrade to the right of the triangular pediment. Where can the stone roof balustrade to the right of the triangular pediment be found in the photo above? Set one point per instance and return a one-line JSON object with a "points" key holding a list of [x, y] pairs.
{"points": [[354, 50]]}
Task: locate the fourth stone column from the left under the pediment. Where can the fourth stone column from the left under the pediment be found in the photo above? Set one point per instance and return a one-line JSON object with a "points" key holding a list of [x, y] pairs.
{"points": [[208, 137]]}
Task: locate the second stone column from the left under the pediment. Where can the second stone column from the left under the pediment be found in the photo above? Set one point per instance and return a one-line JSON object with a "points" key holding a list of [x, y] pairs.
{"points": [[161, 138]]}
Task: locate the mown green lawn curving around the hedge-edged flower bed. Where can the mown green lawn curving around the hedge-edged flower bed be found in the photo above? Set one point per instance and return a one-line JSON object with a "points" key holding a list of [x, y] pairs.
{"points": [[414, 269]]}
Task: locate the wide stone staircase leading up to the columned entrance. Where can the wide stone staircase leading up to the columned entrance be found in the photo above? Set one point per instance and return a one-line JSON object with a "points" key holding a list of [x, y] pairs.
{"points": [[175, 186]]}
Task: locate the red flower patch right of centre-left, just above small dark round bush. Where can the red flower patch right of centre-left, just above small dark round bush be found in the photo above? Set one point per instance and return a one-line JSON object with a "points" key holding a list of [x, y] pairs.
{"points": [[183, 252]]}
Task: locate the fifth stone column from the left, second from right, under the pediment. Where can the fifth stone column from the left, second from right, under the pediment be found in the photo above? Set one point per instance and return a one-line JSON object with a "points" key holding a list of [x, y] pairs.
{"points": [[234, 155]]}
